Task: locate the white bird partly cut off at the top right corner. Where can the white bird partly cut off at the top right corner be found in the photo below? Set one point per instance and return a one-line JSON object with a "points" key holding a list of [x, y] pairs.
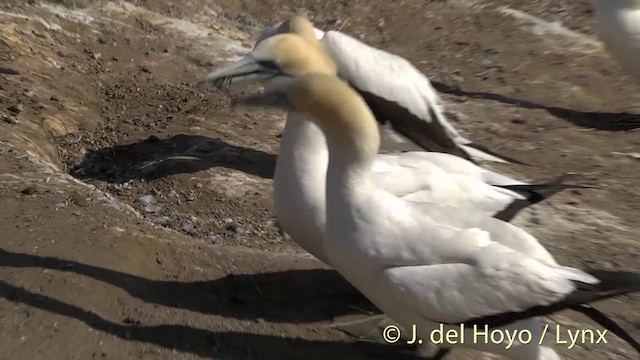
{"points": [[618, 26]]}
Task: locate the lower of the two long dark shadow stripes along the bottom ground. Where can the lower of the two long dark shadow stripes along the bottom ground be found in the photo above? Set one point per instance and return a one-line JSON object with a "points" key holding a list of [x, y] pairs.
{"points": [[211, 344]]}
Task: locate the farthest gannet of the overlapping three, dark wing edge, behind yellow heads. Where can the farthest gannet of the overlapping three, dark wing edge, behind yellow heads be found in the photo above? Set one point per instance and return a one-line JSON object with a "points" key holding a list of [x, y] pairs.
{"points": [[399, 94]]}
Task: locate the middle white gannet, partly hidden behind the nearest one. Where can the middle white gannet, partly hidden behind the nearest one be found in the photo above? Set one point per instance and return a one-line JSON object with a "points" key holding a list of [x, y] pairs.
{"points": [[300, 174]]}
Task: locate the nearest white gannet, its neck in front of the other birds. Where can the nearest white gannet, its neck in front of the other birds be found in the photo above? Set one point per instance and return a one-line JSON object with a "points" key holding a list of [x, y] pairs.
{"points": [[426, 264]]}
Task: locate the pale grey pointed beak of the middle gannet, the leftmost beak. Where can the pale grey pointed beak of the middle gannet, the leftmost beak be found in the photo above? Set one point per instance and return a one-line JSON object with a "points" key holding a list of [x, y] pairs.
{"points": [[247, 69]]}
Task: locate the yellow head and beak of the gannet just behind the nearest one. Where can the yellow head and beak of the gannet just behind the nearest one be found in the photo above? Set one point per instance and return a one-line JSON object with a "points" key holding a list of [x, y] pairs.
{"points": [[284, 55]]}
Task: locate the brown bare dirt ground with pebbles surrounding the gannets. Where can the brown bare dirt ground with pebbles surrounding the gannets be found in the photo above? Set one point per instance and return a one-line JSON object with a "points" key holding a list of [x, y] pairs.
{"points": [[136, 216]]}
